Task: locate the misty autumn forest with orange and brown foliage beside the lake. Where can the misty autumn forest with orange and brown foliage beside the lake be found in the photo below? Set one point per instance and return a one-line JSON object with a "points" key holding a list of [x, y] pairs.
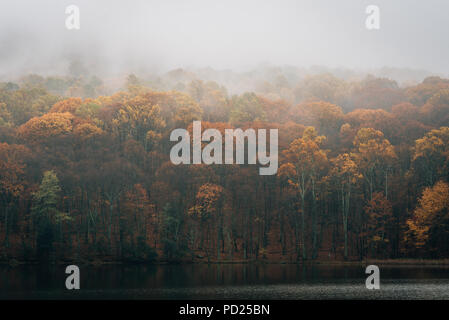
{"points": [[85, 172]]}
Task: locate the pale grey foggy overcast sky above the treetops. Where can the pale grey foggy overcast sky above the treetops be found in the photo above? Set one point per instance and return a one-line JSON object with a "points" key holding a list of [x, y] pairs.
{"points": [[164, 34]]}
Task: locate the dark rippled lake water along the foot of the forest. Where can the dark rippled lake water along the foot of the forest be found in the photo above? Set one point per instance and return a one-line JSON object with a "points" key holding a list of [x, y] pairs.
{"points": [[231, 281]]}
